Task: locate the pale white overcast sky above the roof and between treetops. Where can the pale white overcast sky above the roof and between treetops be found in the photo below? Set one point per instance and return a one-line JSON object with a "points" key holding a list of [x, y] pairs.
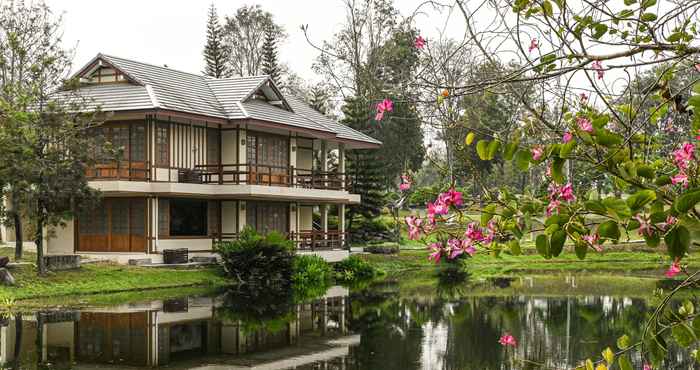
{"points": [[173, 32]]}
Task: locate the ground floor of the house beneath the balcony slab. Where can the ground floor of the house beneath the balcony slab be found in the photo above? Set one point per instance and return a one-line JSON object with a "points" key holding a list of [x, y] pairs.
{"points": [[123, 228]]}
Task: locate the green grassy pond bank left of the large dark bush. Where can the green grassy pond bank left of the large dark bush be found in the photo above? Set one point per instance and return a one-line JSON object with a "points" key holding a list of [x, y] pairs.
{"points": [[103, 278]]}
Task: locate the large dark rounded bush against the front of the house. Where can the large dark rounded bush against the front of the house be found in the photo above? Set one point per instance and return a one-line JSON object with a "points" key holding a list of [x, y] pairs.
{"points": [[258, 260]]}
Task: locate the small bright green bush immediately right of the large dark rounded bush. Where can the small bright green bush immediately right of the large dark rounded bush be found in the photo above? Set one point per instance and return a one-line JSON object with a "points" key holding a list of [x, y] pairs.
{"points": [[312, 276]]}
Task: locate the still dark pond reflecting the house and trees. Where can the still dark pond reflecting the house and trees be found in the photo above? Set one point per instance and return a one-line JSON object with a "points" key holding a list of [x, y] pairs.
{"points": [[395, 323]]}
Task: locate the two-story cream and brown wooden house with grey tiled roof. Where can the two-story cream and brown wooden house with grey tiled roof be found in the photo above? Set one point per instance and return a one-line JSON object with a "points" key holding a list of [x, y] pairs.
{"points": [[203, 158]]}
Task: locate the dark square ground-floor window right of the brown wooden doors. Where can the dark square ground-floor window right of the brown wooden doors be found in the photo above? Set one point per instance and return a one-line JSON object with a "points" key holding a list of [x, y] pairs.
{"points": [[188, 217]]}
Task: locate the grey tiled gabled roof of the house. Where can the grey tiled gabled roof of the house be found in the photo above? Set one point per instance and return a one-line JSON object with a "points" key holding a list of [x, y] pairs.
{"points": [[227, 98]]}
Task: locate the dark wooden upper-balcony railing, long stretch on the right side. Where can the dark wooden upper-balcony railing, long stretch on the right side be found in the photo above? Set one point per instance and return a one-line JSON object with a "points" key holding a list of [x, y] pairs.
{"points": [[255, 174]]}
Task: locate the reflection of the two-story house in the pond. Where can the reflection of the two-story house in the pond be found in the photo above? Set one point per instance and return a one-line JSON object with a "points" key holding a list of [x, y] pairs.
{"points": [[180, 334]]}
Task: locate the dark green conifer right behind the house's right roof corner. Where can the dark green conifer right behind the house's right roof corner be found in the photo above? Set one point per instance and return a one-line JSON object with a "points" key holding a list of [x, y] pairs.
{"points": [[363, 169]]}
